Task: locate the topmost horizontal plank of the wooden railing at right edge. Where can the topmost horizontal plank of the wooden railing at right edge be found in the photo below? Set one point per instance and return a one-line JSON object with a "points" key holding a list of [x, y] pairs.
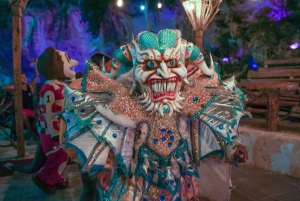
{"points": [[272, 73]]}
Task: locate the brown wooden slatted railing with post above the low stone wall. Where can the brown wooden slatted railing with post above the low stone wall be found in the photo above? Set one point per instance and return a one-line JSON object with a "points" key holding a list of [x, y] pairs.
{"points": [[274, 90]]}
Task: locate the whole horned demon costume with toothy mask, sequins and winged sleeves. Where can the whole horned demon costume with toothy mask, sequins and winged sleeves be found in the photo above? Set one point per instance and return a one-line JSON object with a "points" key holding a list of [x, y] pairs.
{"points": [[172, 112]]}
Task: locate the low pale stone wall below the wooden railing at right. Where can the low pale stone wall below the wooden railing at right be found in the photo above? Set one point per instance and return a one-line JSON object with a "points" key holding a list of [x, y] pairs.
{"points": [[275, 151]]}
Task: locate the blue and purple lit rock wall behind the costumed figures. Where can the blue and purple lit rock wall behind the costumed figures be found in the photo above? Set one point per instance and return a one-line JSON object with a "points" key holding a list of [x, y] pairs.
{"points": [[43, 28]]}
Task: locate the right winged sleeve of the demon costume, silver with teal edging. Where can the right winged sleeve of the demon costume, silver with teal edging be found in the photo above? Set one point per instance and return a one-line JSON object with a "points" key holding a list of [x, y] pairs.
{"points": [[215, 109]]}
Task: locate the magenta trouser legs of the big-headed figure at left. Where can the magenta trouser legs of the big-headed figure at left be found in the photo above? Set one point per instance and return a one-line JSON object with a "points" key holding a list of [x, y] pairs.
{"points": [[52, 172]]}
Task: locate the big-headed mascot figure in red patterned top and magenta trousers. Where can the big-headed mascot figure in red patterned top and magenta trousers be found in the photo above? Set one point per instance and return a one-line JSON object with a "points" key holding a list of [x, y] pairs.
{"points": [[54, 66]]}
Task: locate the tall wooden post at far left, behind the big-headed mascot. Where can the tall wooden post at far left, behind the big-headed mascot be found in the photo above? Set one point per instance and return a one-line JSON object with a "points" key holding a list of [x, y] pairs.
{"points": [[17, 7]]}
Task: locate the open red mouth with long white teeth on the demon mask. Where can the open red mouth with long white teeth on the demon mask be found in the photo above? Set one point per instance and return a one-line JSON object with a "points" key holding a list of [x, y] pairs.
{"points": [[163, 88]]}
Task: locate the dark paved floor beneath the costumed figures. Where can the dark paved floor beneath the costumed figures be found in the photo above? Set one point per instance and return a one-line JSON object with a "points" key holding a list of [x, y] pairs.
{"points": [[251, 184]]}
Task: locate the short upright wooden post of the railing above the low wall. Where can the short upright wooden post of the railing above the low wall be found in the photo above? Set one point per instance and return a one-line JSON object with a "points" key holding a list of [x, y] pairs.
{"points": [[272, 109]]}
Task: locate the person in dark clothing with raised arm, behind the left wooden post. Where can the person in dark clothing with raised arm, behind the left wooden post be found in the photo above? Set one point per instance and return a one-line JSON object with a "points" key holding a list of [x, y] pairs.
{"points": [[29, 114]]}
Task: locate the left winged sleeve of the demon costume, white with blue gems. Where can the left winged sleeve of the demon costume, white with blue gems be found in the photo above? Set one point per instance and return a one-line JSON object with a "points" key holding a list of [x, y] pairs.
{"points": [[98, 121]]}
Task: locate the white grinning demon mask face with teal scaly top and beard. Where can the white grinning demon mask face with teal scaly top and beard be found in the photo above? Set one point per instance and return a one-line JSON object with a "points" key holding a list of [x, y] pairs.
{"points": [[159, 70]]}
